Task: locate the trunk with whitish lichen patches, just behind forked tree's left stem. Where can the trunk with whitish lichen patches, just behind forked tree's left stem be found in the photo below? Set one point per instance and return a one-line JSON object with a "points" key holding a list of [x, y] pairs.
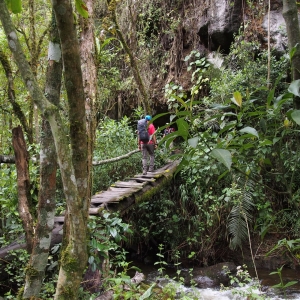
{"points": [[48, 166]]}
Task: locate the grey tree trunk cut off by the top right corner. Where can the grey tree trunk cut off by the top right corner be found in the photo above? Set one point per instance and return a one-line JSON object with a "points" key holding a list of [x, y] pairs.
{"points": [[290, 14]]}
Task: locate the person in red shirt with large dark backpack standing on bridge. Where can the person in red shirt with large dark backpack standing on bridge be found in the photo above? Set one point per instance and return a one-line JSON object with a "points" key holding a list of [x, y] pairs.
{"points": [[147, 147]]}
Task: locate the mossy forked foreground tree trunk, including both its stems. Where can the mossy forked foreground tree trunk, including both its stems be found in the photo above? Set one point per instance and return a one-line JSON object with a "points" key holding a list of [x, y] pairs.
{"points": [[72, 162]]}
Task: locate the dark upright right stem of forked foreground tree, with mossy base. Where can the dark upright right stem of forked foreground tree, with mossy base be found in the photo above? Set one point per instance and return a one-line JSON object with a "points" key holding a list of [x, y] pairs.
{"points": [[74, 251]]}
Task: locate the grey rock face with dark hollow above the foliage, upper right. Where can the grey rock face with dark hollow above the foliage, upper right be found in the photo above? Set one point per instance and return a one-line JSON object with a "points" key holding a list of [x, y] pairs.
{"points": [[216, 21]]}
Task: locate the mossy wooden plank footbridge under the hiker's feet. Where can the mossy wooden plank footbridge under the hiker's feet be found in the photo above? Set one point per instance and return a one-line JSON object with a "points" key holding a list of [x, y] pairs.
{"points": [[121, 195]]}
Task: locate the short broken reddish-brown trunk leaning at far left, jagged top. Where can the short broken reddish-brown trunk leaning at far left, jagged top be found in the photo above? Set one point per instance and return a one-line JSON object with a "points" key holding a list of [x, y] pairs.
{"points": [[24, 197]]}
